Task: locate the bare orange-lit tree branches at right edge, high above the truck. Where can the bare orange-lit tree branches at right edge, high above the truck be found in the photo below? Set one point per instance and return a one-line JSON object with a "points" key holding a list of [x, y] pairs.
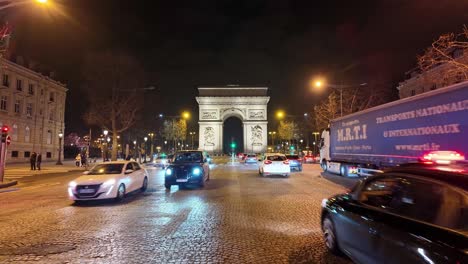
{"points": [[444, 51]]}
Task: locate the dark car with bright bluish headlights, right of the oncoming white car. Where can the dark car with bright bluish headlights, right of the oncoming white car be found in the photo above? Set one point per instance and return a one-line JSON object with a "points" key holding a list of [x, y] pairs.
{"points": [[187, 167]]}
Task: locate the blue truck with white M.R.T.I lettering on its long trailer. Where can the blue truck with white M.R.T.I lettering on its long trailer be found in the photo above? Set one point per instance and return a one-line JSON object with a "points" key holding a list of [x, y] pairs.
{"points": [[429, 127]]}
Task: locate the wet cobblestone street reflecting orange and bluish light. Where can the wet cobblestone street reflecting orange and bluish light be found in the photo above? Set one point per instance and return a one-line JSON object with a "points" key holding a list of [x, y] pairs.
{"points": [[239, 217]]}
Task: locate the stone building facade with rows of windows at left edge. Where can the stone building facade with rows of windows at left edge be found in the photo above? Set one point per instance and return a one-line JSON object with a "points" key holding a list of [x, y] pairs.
{"points": [[33, 106]]}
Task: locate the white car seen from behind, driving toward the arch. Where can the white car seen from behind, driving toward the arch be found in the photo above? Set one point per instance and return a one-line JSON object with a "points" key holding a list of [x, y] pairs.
{"points": [[274, 163]]}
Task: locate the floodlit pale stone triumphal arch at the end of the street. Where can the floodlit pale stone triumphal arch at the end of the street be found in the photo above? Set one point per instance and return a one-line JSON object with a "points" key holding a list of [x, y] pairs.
{"points": [[249, 104]]}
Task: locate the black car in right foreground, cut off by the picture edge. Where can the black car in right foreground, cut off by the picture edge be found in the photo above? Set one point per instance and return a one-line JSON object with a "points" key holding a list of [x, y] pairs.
{"points": [[410, 214]]}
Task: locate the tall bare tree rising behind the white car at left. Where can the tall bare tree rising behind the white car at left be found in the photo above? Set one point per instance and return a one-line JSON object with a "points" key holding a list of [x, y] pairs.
{"points": [[112, 81]]}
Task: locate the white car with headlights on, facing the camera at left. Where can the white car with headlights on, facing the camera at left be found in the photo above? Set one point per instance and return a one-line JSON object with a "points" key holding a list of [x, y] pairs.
{"points": [[110, 180]]}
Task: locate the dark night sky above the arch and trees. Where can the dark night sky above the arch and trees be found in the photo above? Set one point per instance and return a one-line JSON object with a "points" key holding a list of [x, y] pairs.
{"points": [[279, 44]]}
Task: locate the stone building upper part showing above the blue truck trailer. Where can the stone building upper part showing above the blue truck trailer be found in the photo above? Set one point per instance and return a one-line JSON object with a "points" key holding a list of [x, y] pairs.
{"points": [[437, 77]]}
